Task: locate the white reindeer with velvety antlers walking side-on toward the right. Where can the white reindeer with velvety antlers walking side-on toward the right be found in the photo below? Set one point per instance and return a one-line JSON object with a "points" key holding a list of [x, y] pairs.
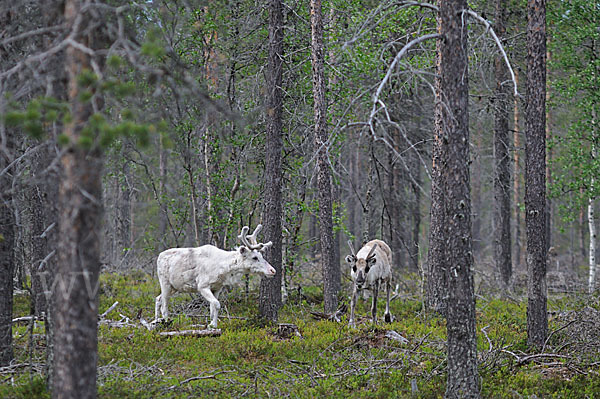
{"points": [[207, 269]]}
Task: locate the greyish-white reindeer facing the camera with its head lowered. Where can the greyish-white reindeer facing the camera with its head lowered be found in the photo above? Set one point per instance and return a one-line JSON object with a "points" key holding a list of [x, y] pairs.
{"points": [[371, 266]]}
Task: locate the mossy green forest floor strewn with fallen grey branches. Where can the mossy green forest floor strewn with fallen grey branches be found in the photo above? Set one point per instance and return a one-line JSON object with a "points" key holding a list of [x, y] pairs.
{"points": [[324, 358]]}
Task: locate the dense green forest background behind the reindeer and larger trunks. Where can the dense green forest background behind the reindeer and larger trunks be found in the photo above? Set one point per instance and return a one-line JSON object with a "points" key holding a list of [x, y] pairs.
{"points": [[176, 103]]}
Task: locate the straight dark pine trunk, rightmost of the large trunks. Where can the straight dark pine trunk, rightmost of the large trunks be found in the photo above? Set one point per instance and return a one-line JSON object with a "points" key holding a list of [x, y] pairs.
{"points": [[535, 174]]}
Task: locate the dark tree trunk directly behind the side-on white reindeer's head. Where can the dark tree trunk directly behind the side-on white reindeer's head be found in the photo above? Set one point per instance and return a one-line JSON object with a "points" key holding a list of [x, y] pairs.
{"points": [[270, 289]]}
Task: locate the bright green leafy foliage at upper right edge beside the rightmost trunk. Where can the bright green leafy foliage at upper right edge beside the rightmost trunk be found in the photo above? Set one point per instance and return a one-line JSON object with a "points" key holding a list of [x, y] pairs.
{"points": [[575, 79]]}
